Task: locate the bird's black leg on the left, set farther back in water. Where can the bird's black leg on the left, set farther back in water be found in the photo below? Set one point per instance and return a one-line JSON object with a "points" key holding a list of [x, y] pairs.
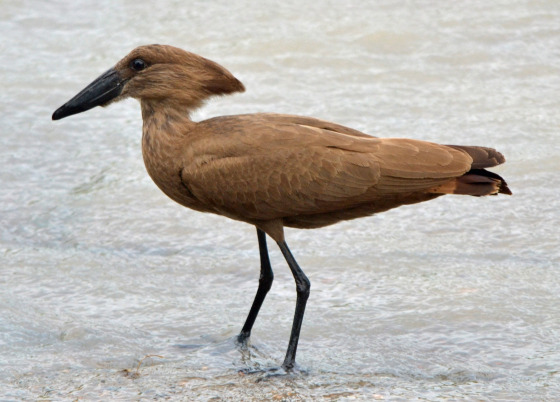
{"points": [[265, 283]]}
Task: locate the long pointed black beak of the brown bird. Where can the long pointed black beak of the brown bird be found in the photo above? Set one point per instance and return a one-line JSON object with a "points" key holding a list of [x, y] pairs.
{"points": [[105, 88]]}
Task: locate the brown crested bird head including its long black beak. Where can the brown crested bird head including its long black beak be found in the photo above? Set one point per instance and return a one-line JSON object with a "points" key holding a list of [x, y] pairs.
{"points": [[155, 74]]}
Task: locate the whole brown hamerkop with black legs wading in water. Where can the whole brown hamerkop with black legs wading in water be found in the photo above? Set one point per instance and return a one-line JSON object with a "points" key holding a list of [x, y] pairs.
{"points": [[274, 170]]}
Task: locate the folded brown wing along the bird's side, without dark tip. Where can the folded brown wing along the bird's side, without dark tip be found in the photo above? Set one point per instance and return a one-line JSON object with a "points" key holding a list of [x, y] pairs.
{"points": [[261, 167]]}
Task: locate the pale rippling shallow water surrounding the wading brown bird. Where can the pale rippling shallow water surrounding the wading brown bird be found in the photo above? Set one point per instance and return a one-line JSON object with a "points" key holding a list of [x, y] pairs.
{"points": [[111, 291]]}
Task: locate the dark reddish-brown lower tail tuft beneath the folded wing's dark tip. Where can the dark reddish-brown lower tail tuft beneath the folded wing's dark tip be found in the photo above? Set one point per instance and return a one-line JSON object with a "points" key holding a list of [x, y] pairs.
{"points": [[477, 182]]}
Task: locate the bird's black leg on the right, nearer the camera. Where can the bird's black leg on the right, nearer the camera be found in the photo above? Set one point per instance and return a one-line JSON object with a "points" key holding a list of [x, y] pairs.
{"points": [[303, 287]]}
